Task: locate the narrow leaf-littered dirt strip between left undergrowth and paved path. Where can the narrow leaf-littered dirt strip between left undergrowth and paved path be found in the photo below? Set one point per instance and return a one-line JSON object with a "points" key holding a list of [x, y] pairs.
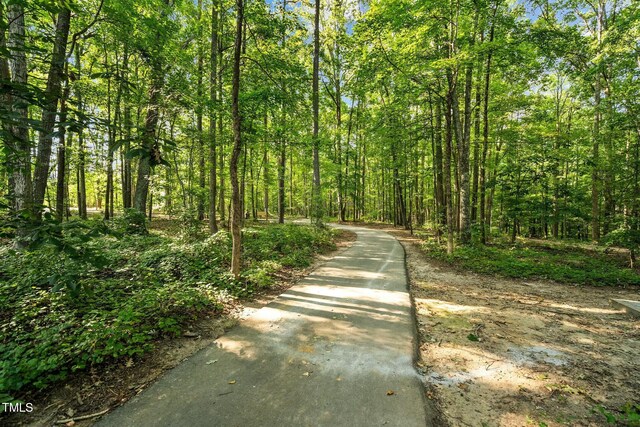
{"points": [[108, 386]]}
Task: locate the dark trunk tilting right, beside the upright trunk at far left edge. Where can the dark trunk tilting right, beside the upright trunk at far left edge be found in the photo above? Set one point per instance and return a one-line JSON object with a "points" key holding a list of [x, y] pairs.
{"points": [[49, 109]]}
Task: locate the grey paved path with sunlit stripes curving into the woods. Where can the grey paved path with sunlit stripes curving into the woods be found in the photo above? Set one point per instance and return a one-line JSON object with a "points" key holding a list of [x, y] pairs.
{"points": [[334, 350]]}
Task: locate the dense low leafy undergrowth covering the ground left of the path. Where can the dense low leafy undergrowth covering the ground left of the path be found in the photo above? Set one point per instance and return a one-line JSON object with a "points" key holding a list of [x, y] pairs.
{"points": [[145, 287]]}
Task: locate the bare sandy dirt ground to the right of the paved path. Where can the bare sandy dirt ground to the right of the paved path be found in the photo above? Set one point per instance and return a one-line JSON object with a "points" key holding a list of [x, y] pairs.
{"points": [[510, 352]]}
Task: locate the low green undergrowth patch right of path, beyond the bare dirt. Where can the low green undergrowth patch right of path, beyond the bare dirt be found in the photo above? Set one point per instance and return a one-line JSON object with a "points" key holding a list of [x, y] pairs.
{"points": [[561, 263]]}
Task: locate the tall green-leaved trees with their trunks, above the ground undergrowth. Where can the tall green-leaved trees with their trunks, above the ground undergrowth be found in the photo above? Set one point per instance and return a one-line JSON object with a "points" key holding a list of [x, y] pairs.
{"points": [[471, 117]]}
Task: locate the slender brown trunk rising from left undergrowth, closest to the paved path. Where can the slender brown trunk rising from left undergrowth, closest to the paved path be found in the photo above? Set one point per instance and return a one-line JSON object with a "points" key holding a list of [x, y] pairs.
{"points": [[236, 219]]}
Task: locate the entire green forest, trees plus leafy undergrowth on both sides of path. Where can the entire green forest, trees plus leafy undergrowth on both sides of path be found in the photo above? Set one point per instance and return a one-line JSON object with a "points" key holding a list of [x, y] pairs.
{"points": [[152, 151]]}
